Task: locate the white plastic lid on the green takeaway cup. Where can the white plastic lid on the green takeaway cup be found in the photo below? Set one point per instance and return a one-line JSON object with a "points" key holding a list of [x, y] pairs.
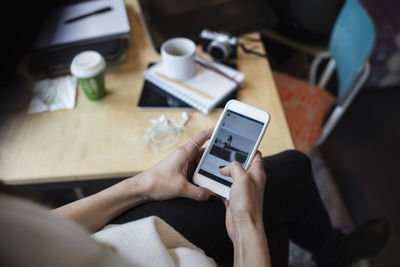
{"points": [[87, 64]]}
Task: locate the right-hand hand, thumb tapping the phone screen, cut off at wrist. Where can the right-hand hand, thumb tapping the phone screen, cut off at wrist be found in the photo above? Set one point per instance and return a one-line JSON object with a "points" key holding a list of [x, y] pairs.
{"points": [[245, 205]]}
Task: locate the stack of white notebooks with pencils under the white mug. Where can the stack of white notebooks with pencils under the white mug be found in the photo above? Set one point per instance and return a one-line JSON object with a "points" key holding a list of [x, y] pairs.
{"points": [[212, 84]]}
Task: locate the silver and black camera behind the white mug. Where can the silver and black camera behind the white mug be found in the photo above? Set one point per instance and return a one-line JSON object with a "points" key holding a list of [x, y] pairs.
{"points": [[221, 46]]}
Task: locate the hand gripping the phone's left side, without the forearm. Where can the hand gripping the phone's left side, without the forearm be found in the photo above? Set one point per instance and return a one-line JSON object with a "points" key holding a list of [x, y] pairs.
{"points": [[169, 178]]}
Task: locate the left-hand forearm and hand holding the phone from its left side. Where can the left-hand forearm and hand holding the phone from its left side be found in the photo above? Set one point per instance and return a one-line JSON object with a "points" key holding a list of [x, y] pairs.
{"points": [[166, 180]]}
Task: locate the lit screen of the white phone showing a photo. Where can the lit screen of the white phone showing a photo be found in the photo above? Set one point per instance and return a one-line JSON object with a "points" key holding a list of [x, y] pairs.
{"points": [[234, 141]]}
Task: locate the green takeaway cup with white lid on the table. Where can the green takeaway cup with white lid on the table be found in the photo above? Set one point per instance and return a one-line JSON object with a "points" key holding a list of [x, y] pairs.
{"points": [[88, 67]]}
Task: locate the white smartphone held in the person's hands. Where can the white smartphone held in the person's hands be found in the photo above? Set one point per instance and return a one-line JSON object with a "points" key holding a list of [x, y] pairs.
{"points": [[235, 138]]}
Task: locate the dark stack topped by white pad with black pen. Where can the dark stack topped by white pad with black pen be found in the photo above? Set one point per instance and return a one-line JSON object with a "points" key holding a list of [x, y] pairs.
{"points": [[70, 29]]}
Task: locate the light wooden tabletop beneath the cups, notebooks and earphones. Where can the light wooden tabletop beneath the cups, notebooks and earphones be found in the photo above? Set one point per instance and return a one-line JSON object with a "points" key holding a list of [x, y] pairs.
{"points": [[104, 139]]}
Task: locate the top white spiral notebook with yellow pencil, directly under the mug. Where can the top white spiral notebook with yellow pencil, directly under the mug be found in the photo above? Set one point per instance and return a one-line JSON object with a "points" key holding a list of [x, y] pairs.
{"points": [[203, 91]]}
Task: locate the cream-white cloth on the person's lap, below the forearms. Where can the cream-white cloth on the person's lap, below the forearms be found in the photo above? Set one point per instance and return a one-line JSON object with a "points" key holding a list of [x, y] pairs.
{"points": [[152, 242]]}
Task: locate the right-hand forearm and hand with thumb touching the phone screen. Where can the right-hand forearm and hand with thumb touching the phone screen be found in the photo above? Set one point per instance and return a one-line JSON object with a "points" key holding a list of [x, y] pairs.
{"points": [[244, 213]]}
